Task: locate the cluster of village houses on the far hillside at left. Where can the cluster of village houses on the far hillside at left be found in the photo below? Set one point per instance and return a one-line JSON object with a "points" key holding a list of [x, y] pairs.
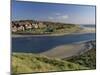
{"points": [[25, 25]]}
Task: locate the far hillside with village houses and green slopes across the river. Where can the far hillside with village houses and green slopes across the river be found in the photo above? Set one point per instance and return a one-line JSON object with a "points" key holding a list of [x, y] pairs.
{"points": [[28, 27]]}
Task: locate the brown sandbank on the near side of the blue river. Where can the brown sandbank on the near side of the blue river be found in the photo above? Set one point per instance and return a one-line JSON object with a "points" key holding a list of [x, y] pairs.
{"points": [[65, 51]]}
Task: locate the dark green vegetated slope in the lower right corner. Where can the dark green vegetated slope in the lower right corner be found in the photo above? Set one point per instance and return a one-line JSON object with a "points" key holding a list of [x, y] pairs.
{"points": [[88, 59]]}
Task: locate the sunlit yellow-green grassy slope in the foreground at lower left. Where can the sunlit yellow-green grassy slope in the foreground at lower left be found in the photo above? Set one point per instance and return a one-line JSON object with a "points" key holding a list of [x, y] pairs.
{"points": [[27, 63]]}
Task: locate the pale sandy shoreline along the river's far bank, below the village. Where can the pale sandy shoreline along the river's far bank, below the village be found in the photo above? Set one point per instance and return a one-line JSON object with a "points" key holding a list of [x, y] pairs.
{"points": [[83, 31]]}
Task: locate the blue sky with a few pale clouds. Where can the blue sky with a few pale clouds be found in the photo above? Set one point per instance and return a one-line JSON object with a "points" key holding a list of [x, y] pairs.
{"points": [[65, 13]]}
